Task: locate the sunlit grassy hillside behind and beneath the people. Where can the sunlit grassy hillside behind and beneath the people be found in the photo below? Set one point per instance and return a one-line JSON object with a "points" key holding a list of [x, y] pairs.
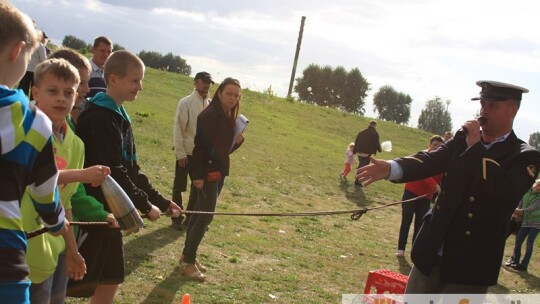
{"points": [[289, 163]]}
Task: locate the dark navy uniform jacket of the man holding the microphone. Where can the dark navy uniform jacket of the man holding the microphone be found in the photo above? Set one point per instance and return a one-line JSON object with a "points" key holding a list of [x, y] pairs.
{"points": [[479, 191]]}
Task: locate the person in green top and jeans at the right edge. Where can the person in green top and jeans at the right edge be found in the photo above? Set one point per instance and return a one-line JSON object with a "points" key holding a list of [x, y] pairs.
{"points": [[529, 211]]}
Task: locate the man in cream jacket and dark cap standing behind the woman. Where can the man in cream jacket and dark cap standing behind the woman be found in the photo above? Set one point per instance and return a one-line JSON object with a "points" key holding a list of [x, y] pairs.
{"points": [[184, 129]]}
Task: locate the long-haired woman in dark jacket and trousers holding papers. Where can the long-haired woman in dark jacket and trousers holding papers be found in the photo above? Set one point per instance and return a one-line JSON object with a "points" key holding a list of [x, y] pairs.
{"points": [[214, 141]]}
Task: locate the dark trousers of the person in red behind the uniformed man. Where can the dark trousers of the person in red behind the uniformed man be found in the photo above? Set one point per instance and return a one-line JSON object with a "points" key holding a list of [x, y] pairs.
{"points": [[417, 209]]}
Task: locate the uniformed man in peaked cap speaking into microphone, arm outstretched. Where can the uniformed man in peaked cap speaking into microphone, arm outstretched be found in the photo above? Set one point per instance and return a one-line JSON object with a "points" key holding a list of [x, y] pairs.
{"points": [[486, 170]]}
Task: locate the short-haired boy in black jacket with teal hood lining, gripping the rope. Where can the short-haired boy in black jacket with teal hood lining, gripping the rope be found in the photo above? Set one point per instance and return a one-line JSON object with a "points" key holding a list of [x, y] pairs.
{"points": [[105, 128]]}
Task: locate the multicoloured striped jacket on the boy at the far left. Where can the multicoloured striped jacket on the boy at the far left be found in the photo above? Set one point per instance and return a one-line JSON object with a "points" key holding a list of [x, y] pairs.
{"points": [[26, 159]]}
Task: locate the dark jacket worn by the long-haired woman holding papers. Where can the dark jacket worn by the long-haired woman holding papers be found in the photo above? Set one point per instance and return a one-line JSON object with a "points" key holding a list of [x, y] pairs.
{"points": [[213, 142]]}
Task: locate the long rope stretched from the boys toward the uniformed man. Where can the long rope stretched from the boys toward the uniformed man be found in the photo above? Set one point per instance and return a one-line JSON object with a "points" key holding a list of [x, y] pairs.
{"points": [[356, 214]]}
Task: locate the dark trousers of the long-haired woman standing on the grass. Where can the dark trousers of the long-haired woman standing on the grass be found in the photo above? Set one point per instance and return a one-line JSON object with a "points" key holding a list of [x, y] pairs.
{"points": [[207, 200]]}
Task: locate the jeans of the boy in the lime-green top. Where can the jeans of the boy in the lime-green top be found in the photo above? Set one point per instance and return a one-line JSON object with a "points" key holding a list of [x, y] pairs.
{"points": [[53, 289]]}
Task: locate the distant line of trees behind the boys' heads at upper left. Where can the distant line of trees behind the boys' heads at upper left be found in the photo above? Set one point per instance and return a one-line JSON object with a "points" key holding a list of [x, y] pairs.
{"points": [[169, 62]]}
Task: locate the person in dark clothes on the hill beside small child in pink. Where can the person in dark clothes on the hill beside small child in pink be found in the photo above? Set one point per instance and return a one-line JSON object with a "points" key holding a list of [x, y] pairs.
{"points": [[366, 144]]}
